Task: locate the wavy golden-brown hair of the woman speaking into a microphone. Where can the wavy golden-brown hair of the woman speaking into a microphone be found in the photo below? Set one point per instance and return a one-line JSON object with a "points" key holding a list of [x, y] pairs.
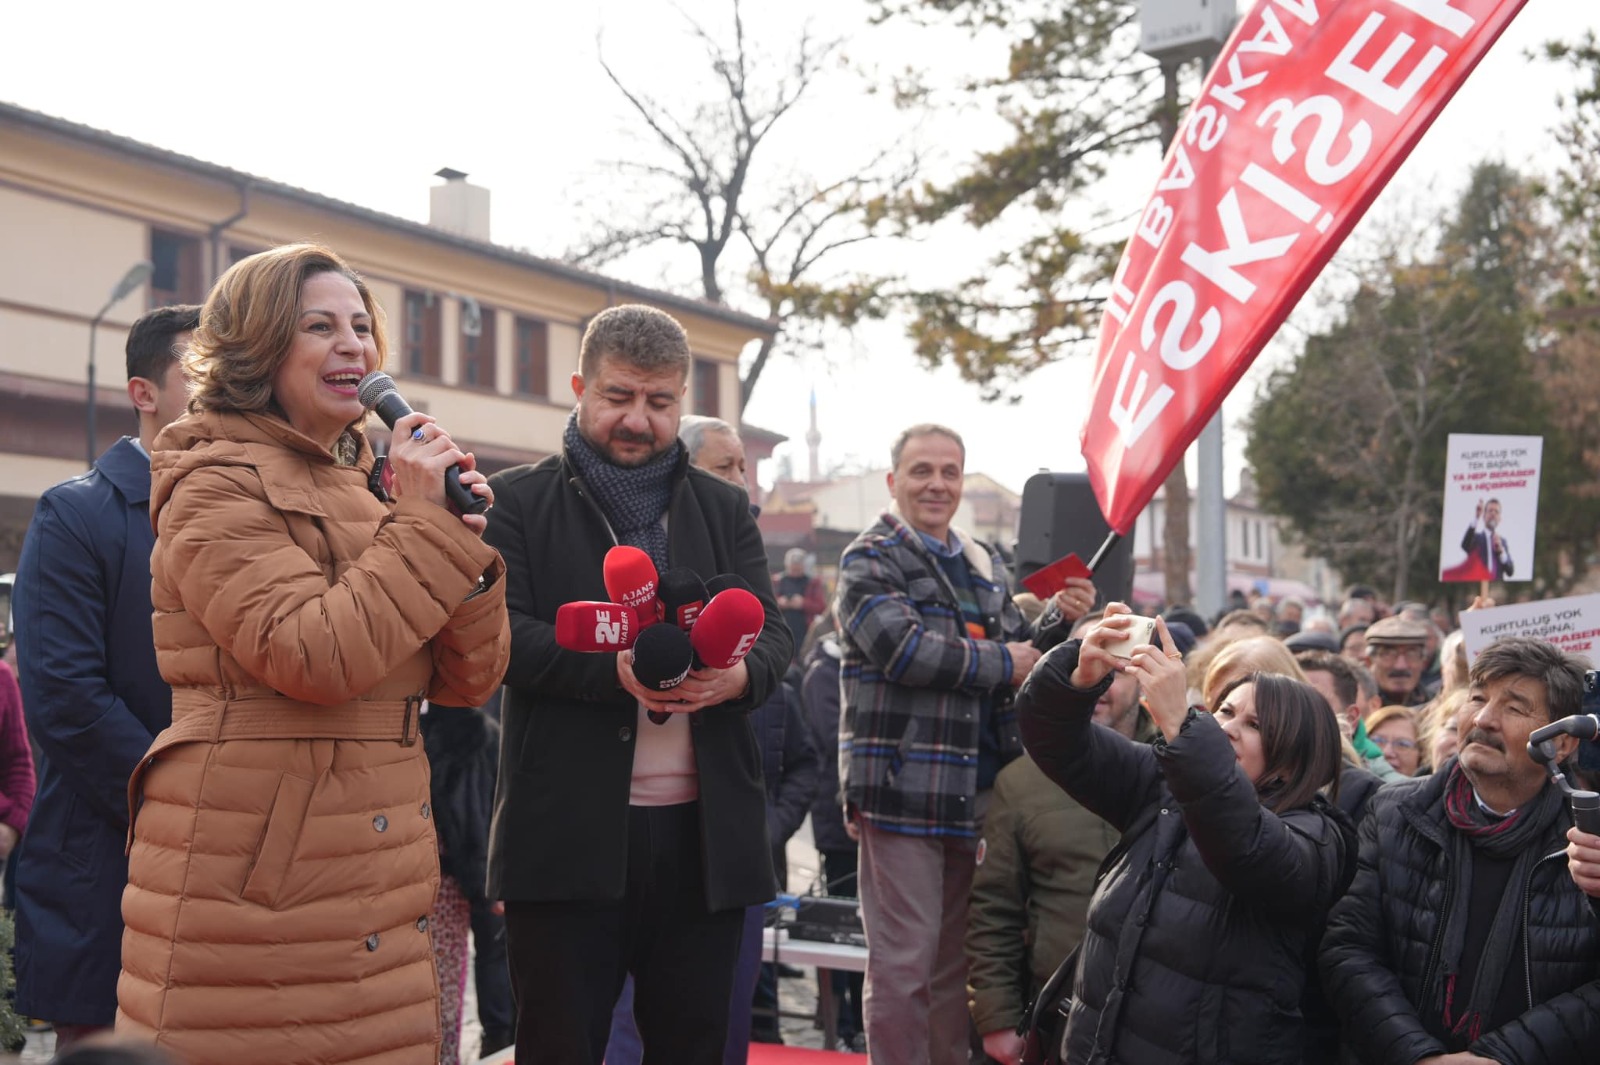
{"points": [[249, 325]]}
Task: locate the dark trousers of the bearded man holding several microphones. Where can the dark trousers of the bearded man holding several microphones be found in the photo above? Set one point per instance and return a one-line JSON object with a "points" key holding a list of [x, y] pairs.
{"points": [[569, 959]]}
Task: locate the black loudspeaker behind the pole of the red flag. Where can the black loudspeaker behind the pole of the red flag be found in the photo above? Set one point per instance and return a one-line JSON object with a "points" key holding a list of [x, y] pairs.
{"points": [[1062, 516]]}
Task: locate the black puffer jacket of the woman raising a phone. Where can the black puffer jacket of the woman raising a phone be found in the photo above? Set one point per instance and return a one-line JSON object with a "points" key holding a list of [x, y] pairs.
{"points": [[1206, 917]]}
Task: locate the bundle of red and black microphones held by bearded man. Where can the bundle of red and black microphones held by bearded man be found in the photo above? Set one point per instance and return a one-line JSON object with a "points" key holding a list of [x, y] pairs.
{"points": [[674, 623]]}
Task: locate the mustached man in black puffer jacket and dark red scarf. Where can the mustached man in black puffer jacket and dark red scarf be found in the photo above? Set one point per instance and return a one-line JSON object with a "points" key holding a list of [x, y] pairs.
{"points": [[1463, 938]]}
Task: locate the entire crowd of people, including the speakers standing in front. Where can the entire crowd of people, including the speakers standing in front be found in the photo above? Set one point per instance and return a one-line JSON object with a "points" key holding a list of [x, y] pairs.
{"points": [[308, 749]]}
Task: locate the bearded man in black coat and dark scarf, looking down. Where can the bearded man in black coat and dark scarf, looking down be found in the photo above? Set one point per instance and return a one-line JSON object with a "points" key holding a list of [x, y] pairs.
{"points": [[622, 845]]}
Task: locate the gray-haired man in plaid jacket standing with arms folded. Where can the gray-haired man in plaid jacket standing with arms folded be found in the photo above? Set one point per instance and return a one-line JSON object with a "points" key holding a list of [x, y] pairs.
{"points": [[932, 650]]}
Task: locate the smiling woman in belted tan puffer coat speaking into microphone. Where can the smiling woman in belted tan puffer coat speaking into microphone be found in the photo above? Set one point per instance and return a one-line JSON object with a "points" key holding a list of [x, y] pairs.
{"points": [[282, 855]]}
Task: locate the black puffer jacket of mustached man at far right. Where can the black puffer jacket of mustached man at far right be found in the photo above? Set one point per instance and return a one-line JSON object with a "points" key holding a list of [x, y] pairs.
{"points": [[1380, 955]]}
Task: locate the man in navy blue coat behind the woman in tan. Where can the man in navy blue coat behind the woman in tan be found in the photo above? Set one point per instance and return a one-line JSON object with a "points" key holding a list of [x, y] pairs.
{"points": [[94, 698]]}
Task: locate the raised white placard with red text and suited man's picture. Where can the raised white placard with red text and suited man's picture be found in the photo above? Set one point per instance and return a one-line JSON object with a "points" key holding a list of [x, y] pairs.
{"points": [[1492, 508]]}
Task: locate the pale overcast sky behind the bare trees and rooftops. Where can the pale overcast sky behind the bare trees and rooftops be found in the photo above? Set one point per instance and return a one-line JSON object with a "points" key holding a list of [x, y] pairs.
{"points": [[366, 102]]}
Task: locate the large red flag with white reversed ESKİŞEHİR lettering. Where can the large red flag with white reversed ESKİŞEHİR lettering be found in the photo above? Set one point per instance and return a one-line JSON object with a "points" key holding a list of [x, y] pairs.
{"points": [[1305, 118]]}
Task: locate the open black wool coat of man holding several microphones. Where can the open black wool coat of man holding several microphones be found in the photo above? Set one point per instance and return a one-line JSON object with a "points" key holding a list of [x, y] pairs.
{"points": [[567, 725]]}
